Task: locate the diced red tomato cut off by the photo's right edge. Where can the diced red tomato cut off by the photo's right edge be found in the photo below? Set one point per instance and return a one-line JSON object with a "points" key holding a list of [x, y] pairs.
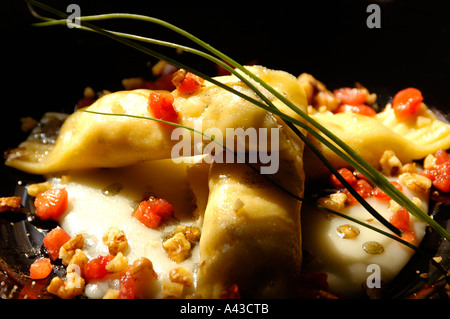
{"points": [[439, 174]]}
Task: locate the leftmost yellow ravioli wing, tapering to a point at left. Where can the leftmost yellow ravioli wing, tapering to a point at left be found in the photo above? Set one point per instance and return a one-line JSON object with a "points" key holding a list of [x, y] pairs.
{"points": [[88, 140]]}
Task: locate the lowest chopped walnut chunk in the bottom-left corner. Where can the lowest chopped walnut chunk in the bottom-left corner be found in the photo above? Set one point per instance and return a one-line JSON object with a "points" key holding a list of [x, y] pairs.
{"points": [[69, 288]]}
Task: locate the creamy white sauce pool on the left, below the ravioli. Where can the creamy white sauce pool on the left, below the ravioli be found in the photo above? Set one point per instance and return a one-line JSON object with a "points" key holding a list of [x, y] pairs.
{"points": [[92, 211]]}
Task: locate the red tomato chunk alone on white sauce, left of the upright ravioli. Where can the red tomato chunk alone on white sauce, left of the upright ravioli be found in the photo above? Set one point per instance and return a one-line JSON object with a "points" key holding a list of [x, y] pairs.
{"points": [[152, 212]]}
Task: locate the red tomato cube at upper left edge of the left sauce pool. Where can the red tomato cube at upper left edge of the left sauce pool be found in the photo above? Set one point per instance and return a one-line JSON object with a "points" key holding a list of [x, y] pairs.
{"points": [[51, 204]]}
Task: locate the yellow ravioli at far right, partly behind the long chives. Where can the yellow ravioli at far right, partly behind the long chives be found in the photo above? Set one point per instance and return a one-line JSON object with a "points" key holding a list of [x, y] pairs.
{"points": [[371, 136]]}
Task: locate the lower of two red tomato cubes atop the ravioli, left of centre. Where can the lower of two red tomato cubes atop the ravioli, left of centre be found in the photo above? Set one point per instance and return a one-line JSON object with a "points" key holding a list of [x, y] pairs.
{"points": [[160, 105]]}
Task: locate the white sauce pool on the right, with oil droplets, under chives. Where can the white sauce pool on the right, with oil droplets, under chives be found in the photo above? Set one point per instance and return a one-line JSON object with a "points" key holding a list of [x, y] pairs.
{"points": [[344, 260]]}
